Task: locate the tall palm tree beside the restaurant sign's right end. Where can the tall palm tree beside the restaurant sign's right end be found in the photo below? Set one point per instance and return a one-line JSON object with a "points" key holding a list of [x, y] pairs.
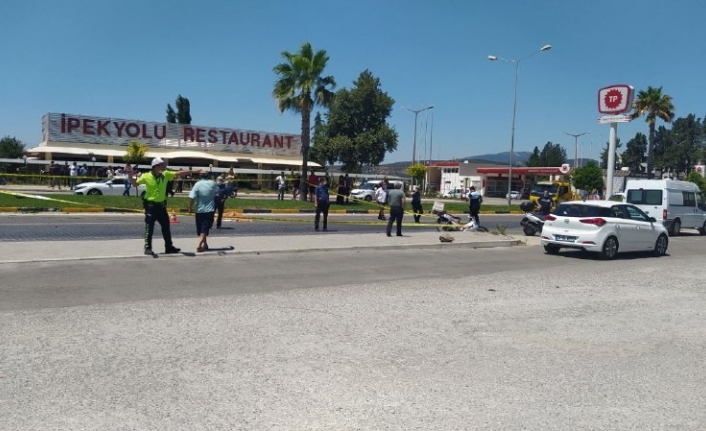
{"points": [[300, 87]]}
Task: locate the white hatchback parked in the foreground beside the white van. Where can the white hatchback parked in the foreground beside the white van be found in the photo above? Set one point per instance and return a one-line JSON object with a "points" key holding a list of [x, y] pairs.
{"points": [[605, 227]]}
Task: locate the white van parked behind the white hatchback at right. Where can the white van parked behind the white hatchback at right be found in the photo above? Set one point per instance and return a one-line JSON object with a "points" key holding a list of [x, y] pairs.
{"points": [[676, 204]]}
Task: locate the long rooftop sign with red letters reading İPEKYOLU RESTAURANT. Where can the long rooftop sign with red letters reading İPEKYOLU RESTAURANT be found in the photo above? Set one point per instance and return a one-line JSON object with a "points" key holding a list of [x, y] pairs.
{"points": [[113, 131]]}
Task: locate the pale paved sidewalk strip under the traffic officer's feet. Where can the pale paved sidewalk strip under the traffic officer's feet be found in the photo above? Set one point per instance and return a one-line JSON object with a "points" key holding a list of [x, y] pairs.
{"points": [[21, 252]]}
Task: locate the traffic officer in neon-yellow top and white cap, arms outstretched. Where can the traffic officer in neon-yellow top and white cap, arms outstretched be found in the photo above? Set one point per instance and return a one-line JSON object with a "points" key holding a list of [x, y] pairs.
{"points": [[155, 203]]}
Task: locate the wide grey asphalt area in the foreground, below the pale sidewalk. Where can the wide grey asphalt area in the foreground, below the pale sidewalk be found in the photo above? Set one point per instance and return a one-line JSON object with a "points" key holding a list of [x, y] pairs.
{"points": [[492, 339]]}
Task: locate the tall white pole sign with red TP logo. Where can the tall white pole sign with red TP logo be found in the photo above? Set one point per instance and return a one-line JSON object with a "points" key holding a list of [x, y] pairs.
{"points": [[614, 100]]}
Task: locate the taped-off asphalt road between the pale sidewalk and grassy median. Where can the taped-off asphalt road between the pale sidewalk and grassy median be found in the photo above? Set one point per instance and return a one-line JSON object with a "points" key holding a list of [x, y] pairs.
{"points": [[52, 227]]}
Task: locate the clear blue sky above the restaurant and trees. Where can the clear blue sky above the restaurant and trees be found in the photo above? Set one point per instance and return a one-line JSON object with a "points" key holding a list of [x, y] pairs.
{"points": [[129, 58]]}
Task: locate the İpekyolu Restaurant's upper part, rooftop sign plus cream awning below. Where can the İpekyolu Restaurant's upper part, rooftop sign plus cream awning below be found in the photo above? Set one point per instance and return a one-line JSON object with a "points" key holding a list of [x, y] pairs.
{"points": [[88, 139]]}
